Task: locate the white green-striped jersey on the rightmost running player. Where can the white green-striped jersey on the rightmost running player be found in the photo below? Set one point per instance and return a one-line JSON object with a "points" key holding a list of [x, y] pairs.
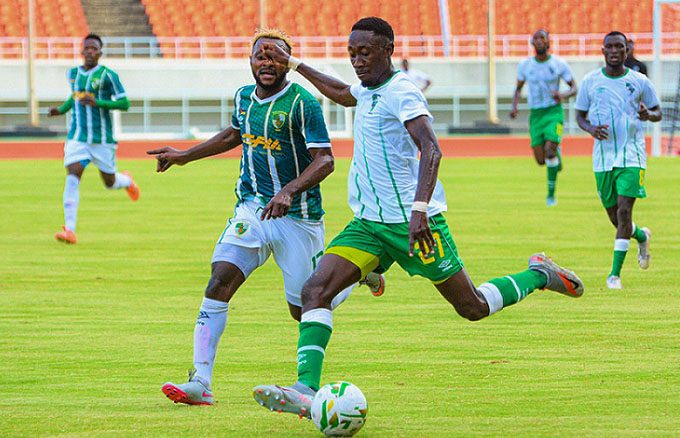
{"points": [[615, 102]]}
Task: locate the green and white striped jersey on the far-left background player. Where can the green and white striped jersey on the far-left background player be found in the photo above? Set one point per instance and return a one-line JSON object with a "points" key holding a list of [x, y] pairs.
{"points": [[89, 124]]}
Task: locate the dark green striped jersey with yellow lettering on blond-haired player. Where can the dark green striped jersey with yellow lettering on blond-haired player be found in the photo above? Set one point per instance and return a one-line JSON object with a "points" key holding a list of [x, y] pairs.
{"points": [[277, 133]]}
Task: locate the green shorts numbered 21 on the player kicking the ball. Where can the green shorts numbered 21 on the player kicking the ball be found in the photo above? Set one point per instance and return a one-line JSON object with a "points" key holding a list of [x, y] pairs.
{"points": [[375, 246]]}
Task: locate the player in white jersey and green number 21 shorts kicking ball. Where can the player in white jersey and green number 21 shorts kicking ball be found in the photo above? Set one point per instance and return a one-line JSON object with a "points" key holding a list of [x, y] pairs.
{"points": [[398, 204]]}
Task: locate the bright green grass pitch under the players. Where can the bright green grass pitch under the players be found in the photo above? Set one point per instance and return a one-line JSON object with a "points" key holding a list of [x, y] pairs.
{"points": [[89, 333]]}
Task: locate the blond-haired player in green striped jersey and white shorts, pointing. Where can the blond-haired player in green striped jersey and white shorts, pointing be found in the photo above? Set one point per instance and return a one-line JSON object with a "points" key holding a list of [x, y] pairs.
{"points": [[286, 154]]}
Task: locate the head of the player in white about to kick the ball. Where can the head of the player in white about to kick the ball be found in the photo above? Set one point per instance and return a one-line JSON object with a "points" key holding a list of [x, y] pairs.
{"points": [[371, 44]]}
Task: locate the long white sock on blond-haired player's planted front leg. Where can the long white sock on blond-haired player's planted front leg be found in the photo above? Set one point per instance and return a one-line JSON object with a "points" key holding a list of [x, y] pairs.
{"points": [[209, 328]]}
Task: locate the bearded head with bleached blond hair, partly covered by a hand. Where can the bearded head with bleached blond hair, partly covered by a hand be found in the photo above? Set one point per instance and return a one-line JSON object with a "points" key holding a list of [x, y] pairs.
{"points": [[268, 74]]}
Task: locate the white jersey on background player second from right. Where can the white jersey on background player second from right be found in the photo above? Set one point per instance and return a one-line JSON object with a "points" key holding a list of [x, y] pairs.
{"points": [[543, 77]]}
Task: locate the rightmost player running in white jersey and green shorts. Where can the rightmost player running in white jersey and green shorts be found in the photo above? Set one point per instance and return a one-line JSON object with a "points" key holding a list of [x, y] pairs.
{"points": [[611, 106]]}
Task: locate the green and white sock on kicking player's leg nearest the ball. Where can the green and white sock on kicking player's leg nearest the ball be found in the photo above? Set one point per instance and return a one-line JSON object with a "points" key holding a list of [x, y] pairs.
{"points": [[315, 332]]}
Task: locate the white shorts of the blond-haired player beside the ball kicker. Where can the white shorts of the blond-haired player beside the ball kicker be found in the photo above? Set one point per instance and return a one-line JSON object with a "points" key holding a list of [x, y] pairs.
{"points": [[247, 242]]}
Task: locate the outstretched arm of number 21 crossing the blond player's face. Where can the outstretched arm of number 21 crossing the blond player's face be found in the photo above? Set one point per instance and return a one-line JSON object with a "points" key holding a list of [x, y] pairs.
{"points": [[332, 88]]}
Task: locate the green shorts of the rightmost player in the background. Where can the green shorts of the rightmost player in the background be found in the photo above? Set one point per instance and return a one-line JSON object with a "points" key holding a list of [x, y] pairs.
{"points": [[624, 181]]}
